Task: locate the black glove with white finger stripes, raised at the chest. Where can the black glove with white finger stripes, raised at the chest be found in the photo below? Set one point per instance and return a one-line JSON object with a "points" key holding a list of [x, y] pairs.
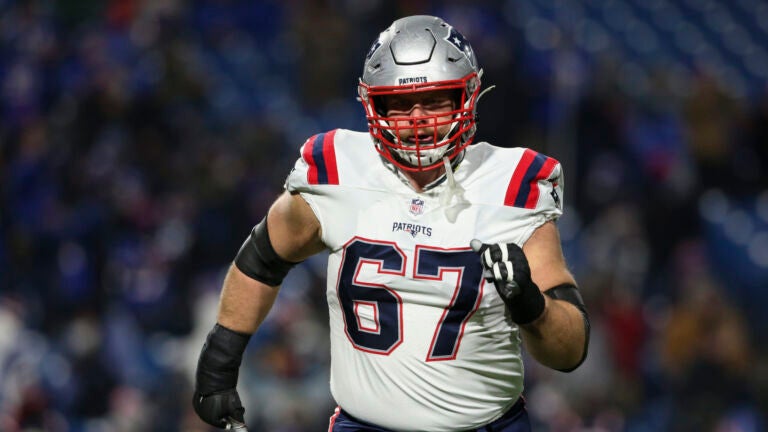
{"points": [[506, 266]]}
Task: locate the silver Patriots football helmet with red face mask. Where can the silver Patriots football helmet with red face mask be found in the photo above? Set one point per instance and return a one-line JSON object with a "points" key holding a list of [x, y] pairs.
{"points": [[420, 54]]}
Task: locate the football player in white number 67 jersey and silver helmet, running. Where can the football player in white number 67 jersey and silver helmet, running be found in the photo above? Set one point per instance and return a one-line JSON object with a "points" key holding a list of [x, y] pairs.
{"points": [[444, 257]]}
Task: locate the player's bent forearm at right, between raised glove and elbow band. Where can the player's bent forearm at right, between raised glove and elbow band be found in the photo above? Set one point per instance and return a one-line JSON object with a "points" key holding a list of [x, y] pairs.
{"points": [[557, 338]]}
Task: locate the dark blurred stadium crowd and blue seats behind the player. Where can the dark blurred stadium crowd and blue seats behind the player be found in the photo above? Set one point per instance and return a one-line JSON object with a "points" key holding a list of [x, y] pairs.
{"points": [[140, 141]]}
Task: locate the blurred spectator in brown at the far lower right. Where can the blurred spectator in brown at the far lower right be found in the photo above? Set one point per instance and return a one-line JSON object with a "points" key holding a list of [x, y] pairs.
{"points": [[706, 354]]}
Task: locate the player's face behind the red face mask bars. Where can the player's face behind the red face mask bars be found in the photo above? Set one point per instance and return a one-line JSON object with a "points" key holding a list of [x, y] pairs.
{"points": [[424, 117]]}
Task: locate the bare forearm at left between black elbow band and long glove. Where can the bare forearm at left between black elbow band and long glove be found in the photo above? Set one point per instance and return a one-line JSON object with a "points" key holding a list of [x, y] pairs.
{"points": [[244, 302]]}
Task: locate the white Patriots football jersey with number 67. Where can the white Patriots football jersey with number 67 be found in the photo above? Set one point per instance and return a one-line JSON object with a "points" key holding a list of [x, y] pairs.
{"points": [[419, 341]]}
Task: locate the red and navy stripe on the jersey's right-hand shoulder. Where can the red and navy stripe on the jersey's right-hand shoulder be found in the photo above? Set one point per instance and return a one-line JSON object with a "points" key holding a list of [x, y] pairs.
{"points": [[523, 190]]}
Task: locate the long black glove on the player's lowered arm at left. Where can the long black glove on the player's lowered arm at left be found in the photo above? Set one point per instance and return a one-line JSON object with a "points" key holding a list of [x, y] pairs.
{"points": [[216, 400]]}
